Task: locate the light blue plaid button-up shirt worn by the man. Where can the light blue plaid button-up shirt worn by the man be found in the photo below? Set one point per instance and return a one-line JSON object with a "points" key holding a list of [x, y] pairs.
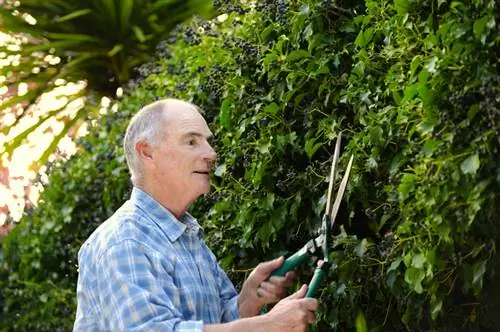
{"points": [[143, 270]]}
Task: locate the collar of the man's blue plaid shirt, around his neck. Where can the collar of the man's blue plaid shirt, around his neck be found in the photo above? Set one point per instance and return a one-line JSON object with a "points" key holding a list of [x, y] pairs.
{"points": [[169, 224]]}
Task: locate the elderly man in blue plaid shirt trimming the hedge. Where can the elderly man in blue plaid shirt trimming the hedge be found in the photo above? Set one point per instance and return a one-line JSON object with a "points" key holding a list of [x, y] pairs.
{"points": [[147, 268]]}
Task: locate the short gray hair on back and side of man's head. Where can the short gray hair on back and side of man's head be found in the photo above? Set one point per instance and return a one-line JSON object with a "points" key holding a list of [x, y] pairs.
{"points": [[146, 125]]}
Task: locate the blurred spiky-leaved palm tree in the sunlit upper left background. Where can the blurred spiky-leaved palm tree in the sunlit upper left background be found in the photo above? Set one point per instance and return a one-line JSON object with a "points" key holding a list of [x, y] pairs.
{"points": [[98, 42]]}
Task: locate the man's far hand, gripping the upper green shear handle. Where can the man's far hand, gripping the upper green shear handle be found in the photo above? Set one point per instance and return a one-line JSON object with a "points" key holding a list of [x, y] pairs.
{"points": [[259, 289]]}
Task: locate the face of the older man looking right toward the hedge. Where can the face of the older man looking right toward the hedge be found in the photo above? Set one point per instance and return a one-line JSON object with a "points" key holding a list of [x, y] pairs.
{"points": [[183, 158]]}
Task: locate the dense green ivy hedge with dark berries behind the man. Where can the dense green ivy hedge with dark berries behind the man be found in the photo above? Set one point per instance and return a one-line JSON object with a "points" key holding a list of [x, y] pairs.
{"points": [[412, 84]]}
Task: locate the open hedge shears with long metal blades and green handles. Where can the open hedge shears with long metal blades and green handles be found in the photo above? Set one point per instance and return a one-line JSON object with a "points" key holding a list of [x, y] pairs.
{"points": [[319, 246]]}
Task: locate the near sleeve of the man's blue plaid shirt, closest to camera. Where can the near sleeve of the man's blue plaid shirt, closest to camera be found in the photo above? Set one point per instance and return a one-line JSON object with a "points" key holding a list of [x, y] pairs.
{"points": [[137, 292]]}
